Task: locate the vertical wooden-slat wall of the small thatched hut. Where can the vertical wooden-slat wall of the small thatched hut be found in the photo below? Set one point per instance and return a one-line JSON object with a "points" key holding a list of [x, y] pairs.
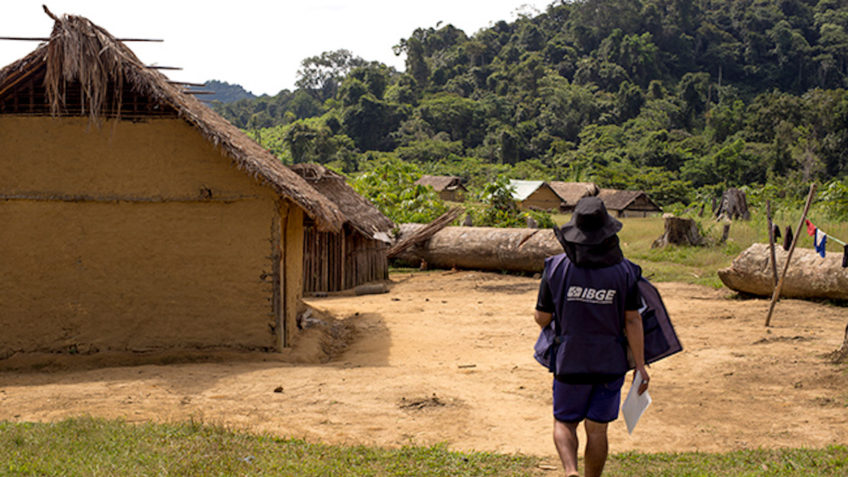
{"points": [[335, 262]]}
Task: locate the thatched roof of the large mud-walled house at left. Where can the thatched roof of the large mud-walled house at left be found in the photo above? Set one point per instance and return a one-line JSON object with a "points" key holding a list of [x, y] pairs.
{"points": [[83, 53]]}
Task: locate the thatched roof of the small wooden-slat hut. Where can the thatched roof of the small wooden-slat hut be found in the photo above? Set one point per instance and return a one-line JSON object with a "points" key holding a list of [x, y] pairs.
{"points": [[359, 212]]}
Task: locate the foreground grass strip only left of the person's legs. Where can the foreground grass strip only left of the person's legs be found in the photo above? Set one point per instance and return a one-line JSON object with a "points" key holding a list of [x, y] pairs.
{"points": [[86, 446]]}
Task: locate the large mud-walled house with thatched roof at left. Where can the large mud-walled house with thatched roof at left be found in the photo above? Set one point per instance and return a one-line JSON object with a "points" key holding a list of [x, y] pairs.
{"points": [[133, 217]]}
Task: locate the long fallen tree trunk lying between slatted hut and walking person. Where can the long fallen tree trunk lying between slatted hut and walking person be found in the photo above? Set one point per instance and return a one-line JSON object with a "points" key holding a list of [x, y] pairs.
{"points": [[483, 248]]}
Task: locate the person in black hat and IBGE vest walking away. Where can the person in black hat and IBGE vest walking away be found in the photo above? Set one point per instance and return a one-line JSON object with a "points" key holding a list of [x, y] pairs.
{"points": [[590, 293]]}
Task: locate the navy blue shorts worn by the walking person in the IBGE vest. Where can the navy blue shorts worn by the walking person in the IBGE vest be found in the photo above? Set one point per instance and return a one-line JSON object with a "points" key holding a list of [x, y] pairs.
{"points": [[596, 402]]}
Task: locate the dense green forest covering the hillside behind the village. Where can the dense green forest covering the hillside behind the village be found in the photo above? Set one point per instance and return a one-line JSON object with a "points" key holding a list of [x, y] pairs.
{"points": [[681, 98]]}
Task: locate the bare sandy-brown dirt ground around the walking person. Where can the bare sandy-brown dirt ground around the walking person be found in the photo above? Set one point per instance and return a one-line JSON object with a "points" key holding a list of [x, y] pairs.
{"points": [[446, 356]]}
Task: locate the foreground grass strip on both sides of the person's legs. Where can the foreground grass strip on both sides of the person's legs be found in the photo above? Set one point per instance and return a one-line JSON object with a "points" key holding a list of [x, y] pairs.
{"points": [[86, 446]]}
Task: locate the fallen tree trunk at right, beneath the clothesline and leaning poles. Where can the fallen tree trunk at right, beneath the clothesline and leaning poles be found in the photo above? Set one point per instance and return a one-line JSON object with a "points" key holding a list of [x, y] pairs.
{"points": [[809, 275]]}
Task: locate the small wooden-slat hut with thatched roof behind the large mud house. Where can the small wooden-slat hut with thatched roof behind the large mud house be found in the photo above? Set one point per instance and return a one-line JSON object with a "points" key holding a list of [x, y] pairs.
{"points": [[352, 256]]}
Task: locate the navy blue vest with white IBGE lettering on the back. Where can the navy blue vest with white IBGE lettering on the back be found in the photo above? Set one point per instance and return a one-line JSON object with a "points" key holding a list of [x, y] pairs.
{"points": [[589, 306]]}
